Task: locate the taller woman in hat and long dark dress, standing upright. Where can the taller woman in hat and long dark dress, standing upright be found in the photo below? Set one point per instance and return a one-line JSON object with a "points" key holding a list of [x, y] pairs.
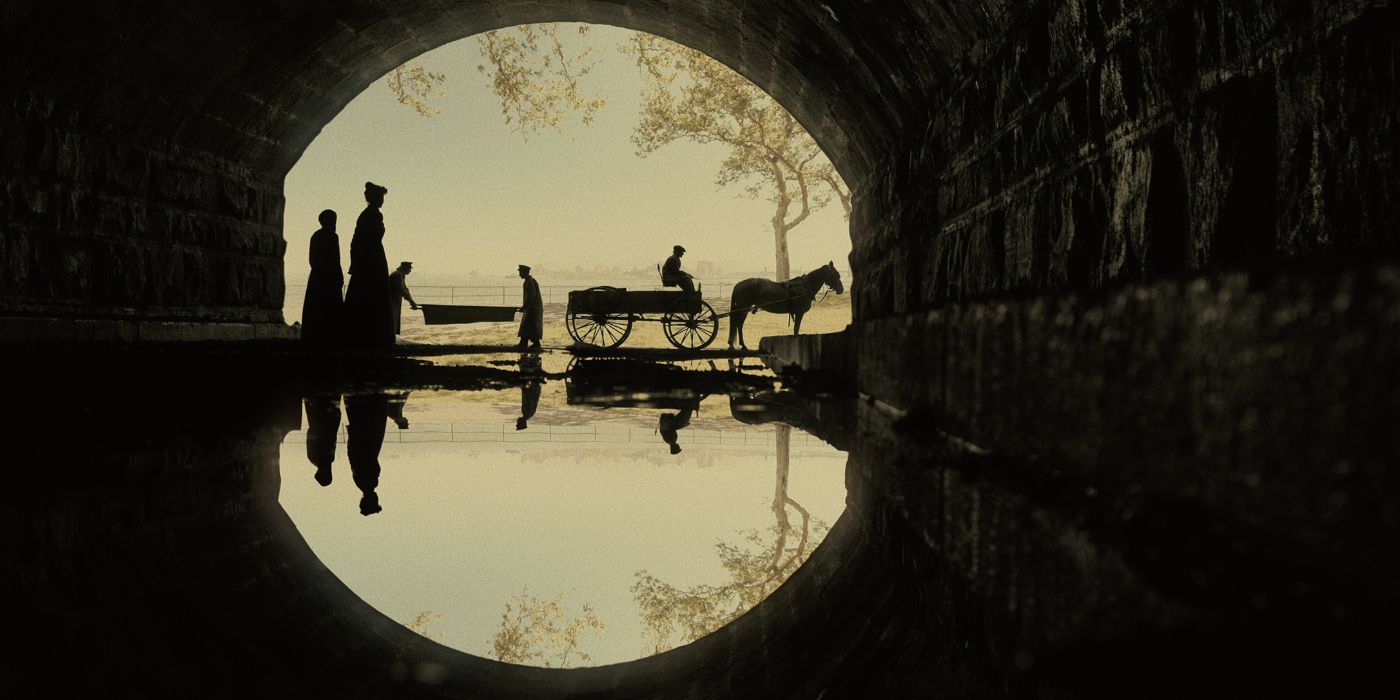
{"points": [[367, 297]]}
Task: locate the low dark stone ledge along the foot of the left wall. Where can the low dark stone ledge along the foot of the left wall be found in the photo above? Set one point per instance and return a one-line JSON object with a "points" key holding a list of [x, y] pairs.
{"points": [[17, 331]]}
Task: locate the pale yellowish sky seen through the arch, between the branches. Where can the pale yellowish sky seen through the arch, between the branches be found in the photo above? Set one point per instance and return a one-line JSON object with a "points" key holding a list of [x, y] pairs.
{"points": [[467, 195]]}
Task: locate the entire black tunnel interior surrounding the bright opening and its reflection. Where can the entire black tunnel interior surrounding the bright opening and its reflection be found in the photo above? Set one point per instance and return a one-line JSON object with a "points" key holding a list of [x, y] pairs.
{"points": [[1119, 394]]}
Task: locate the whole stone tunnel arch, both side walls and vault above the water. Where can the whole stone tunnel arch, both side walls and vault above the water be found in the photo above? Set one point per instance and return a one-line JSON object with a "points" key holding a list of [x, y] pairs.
{"points": [[999, 150]]}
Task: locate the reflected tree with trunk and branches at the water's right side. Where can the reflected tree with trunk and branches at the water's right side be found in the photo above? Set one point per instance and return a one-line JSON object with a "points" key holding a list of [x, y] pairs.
{"points": [[757, 566]]}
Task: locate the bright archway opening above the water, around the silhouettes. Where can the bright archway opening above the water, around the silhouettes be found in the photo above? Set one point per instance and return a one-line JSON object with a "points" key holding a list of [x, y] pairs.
{"points": [[597, 201]]}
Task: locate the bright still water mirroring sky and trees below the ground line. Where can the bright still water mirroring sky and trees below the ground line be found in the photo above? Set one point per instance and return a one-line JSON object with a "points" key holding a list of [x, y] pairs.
{"points": [[538, 527]]}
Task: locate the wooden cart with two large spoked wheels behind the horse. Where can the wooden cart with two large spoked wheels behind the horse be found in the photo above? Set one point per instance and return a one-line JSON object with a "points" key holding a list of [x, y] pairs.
{"points": [[603, 317]]}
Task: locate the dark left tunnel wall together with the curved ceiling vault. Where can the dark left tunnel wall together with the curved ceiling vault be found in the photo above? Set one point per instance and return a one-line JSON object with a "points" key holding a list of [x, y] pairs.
{"points": [[145, 148]]}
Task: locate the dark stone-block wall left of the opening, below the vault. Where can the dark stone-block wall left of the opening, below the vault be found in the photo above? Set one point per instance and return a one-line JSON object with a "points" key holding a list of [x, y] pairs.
{"points": [[103, 227]]}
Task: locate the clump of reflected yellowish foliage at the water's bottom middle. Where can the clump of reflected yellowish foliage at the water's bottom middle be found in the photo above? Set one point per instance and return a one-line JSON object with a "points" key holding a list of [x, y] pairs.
{"points": [[537, 632]]}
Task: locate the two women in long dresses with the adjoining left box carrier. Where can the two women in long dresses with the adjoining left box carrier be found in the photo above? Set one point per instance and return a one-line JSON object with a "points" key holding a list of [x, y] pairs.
{"points": [[370, 314]]}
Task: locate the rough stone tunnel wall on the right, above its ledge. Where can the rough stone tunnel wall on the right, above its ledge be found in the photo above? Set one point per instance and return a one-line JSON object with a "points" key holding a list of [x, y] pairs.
{"points": [[1105, 143]]}
